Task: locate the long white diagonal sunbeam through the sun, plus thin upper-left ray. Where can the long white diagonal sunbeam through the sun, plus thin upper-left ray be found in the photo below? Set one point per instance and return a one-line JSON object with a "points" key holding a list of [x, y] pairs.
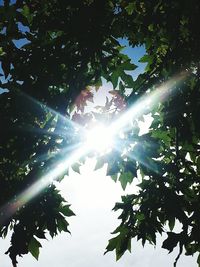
{"points": [[98, 139]]}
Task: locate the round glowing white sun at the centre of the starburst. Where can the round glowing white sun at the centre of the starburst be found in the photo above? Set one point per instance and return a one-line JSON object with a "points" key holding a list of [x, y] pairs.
{"points": [[100, 139]]}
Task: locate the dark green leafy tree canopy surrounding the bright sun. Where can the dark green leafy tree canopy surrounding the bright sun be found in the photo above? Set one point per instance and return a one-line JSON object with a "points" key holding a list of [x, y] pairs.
{"points": [[50, 52]]}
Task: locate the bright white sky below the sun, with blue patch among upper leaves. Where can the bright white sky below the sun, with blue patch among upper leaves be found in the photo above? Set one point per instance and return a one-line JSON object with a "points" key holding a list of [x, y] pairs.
{"points": [[93, 195]]}
